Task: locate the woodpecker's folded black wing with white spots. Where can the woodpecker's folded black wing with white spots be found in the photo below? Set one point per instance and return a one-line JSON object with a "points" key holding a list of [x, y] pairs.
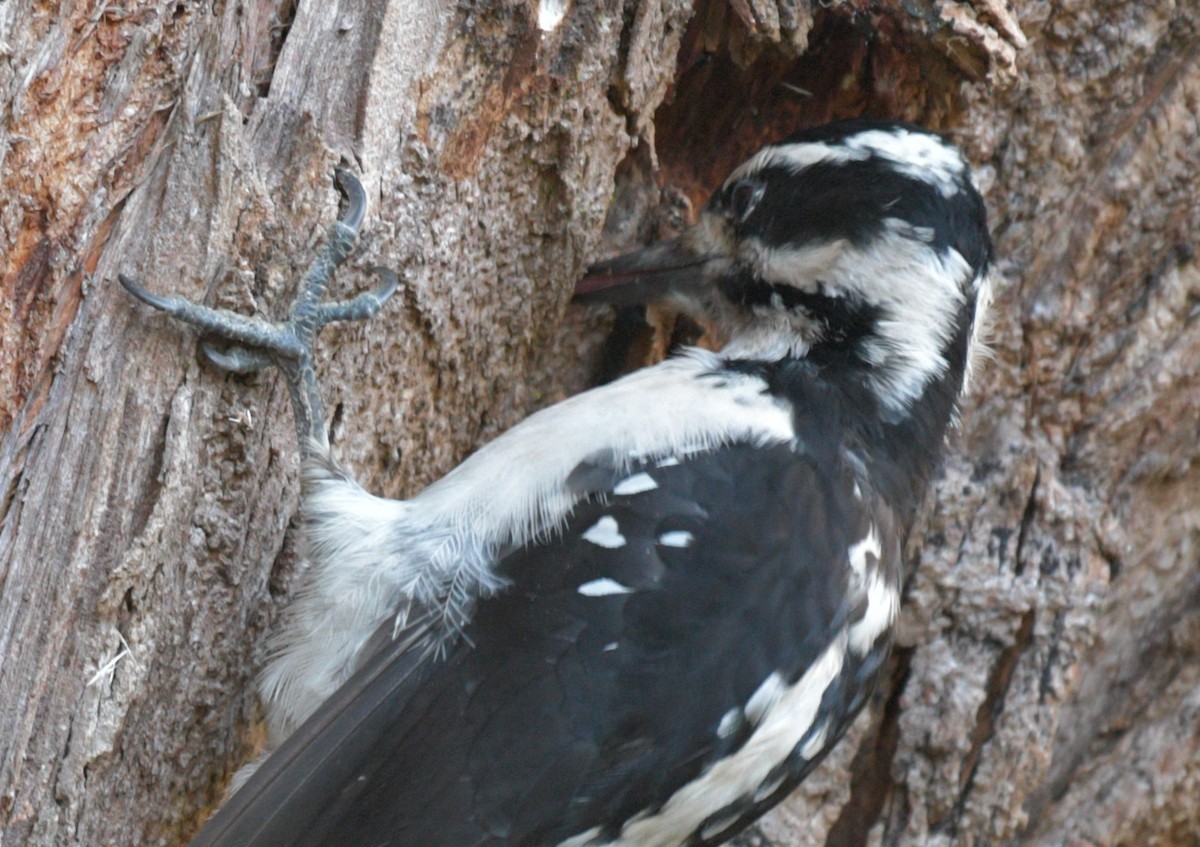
{"points": [[670, 650]]}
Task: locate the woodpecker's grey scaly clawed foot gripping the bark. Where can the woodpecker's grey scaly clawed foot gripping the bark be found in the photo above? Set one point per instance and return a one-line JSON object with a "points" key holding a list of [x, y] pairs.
{"points": [[253, 344]]}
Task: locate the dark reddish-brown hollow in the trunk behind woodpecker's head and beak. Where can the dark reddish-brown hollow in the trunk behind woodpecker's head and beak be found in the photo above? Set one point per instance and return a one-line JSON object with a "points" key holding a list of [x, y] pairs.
{"points": [[736, 92]]}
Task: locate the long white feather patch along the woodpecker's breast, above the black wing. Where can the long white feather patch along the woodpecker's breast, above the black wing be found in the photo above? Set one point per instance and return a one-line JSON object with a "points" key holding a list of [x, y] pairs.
{"points": [[515, 488]]}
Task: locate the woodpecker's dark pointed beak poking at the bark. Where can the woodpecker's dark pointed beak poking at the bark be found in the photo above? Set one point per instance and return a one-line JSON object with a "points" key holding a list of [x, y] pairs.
{"points": [[667, 272]]}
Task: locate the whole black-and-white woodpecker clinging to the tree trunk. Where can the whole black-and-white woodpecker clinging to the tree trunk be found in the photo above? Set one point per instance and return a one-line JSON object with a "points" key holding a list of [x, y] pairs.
{"points": [[643, 616]]}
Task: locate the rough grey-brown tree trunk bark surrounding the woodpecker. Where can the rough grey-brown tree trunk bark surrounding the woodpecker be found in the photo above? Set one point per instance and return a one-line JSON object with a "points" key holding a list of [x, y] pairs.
{"points": [[1047, 689]]}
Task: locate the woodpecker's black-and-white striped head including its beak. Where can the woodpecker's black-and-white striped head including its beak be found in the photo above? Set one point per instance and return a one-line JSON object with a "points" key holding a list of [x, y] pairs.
{"points": [[861, 244]]}
